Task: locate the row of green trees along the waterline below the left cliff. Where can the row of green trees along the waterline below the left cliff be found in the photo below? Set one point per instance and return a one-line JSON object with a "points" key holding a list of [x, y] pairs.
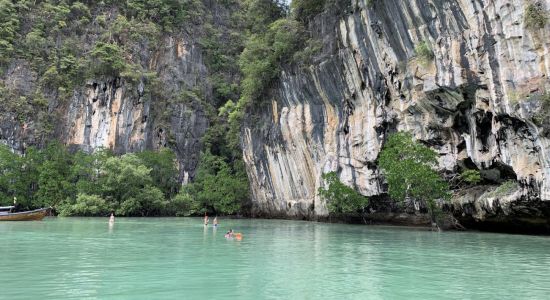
{"points": [[135, 184]]}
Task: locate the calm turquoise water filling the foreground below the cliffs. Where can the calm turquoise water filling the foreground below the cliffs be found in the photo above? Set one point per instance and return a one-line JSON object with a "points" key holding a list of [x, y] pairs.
{"points": [[177, 258]]}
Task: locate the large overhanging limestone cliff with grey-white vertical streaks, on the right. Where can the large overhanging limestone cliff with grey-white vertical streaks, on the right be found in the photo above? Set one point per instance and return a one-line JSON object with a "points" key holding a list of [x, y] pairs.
{"points": [[479, 102]]}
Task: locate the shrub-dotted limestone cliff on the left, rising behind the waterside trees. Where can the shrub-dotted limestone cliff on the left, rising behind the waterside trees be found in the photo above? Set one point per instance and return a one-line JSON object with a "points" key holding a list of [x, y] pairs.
{"points": [[159, 104]]}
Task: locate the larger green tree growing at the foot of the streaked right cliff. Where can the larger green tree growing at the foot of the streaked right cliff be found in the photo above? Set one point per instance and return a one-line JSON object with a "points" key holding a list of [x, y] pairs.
{"points": [[408, 167]]}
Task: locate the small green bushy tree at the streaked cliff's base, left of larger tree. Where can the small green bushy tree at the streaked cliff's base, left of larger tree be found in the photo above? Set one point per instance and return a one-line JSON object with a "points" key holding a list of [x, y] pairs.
{"points": [[340, 198]]}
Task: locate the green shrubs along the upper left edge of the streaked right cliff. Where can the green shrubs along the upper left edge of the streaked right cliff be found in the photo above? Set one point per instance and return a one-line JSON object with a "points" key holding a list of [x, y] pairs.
{"points": [[275, 37]]}
